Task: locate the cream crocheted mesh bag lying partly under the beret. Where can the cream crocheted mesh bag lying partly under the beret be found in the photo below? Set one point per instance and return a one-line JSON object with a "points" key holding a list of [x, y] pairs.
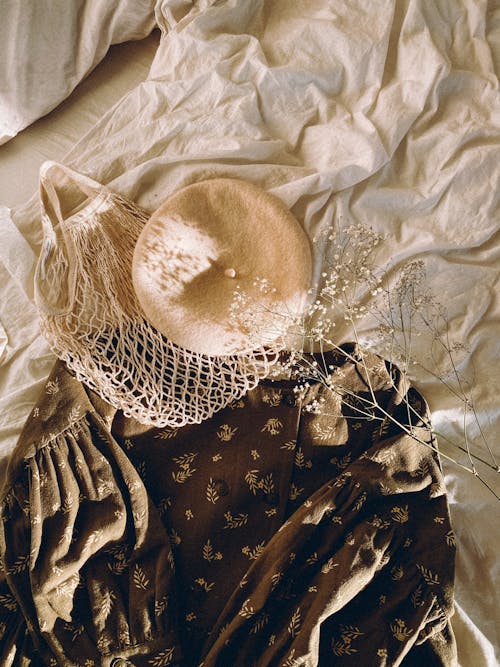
{"points": [[93, 321]]}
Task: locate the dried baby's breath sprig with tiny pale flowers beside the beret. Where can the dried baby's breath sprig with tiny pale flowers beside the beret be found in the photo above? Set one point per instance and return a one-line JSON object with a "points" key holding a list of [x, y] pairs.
{"points": [[397, 307]]}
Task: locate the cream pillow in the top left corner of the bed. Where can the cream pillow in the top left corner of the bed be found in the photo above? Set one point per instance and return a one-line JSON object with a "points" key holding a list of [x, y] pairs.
{"points": [[49, 46]]}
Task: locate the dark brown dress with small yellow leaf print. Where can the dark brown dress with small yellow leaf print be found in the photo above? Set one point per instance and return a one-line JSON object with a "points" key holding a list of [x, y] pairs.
{"points": [[268, 535]]}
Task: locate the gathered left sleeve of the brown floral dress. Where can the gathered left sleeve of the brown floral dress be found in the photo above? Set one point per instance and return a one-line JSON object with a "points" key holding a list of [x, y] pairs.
{"points": [[86, 555]]}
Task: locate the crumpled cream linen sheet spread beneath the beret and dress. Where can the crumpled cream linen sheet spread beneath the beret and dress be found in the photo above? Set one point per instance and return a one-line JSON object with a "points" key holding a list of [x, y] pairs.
{"points": [[385, 113]]}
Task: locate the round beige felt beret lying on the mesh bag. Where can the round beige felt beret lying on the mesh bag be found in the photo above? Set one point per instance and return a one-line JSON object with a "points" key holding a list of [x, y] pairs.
{"points": [[208, 241]]}
